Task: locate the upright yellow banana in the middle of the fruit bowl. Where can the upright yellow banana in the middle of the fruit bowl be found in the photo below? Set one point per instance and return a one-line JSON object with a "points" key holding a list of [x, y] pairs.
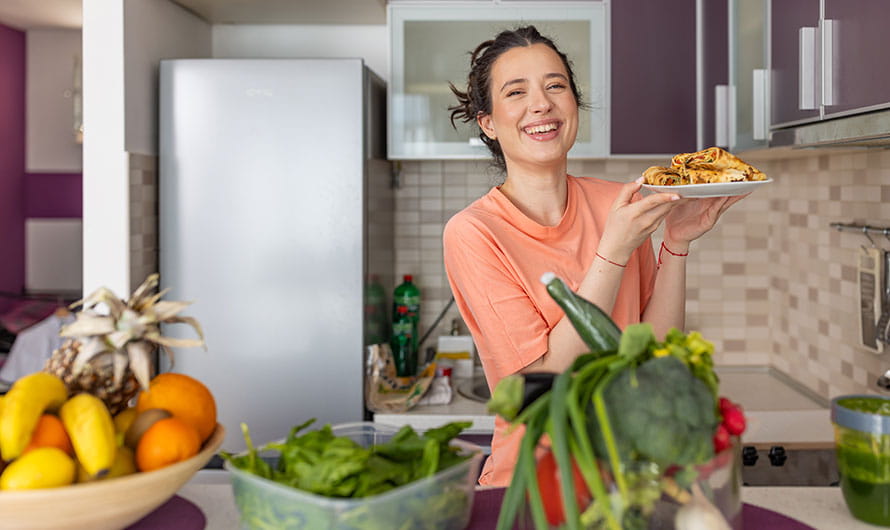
{"points": [[91, 428]]}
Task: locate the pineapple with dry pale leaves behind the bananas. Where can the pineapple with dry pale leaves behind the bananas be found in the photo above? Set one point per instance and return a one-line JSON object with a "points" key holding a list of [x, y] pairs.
{"points": [[110, 355]]}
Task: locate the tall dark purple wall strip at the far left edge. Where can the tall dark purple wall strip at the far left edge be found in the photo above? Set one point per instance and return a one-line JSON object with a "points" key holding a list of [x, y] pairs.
{"points": [[12, 161]]}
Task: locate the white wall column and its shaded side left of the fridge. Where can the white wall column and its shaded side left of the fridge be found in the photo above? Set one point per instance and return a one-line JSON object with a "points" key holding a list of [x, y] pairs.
{"points": [[123, 40]]}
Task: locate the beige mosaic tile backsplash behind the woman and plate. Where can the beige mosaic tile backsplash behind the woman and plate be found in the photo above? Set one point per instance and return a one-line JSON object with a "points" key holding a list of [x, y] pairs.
{"points": [[773, 284]]}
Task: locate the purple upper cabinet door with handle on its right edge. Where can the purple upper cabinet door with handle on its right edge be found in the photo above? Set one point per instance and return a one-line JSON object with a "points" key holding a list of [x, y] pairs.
{"points": [[790, 19]]}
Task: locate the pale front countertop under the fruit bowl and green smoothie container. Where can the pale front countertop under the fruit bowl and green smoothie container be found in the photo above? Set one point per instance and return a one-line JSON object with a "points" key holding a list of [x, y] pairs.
{"points": [[821, 508]]}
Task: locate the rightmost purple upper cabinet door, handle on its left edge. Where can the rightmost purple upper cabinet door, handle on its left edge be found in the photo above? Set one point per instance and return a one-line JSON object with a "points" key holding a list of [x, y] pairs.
{"points": [[859, 65]]}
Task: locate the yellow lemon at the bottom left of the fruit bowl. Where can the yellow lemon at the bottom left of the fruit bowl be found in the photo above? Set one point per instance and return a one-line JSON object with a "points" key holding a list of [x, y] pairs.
{"points": [[45, 467]]}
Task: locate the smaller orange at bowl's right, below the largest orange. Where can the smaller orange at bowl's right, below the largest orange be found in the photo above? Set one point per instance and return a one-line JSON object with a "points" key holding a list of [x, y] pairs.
{"points": [[166, 442]]}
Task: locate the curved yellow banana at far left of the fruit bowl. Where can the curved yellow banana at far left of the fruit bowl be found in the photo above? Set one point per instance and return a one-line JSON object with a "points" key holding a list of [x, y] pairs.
{"points": [[28, 398]]}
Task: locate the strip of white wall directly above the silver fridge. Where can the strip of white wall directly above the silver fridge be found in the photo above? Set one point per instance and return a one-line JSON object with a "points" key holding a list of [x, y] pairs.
{"points": [[369, 42]]}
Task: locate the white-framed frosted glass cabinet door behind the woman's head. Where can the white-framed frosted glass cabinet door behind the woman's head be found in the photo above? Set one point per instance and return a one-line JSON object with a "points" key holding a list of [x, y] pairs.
{"points": [[431, 47]]}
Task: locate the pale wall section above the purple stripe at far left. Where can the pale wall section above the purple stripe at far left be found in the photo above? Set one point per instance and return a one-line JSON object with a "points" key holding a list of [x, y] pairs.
{"points": [[50, 144]]}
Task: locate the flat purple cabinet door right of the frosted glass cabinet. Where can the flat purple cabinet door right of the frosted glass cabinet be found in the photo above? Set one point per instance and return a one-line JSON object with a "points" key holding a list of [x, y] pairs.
{"points": [[653, 77]]}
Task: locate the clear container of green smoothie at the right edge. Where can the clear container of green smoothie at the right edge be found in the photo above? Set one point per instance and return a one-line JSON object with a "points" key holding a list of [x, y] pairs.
{"points": [[862, 448]]}
